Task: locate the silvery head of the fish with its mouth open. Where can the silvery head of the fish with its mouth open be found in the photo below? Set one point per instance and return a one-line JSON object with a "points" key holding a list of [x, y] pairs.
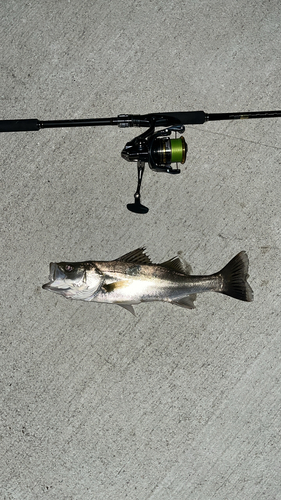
{"points": [[78, 280]]}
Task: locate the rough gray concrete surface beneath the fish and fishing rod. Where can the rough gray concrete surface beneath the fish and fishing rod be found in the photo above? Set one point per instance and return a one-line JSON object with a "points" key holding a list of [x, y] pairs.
{"points": [[170, 404]]}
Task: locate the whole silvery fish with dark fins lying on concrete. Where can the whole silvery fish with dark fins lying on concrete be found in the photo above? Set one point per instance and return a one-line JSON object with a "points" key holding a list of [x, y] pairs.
{"points": [[133, 278]]}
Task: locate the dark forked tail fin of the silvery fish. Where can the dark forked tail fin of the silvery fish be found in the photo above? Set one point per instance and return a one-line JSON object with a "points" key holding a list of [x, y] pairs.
{"points": [[234, 278]]}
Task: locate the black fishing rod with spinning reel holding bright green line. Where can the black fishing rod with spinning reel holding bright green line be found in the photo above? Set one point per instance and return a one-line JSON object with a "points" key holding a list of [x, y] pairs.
{"points": [[156, 148]]}
